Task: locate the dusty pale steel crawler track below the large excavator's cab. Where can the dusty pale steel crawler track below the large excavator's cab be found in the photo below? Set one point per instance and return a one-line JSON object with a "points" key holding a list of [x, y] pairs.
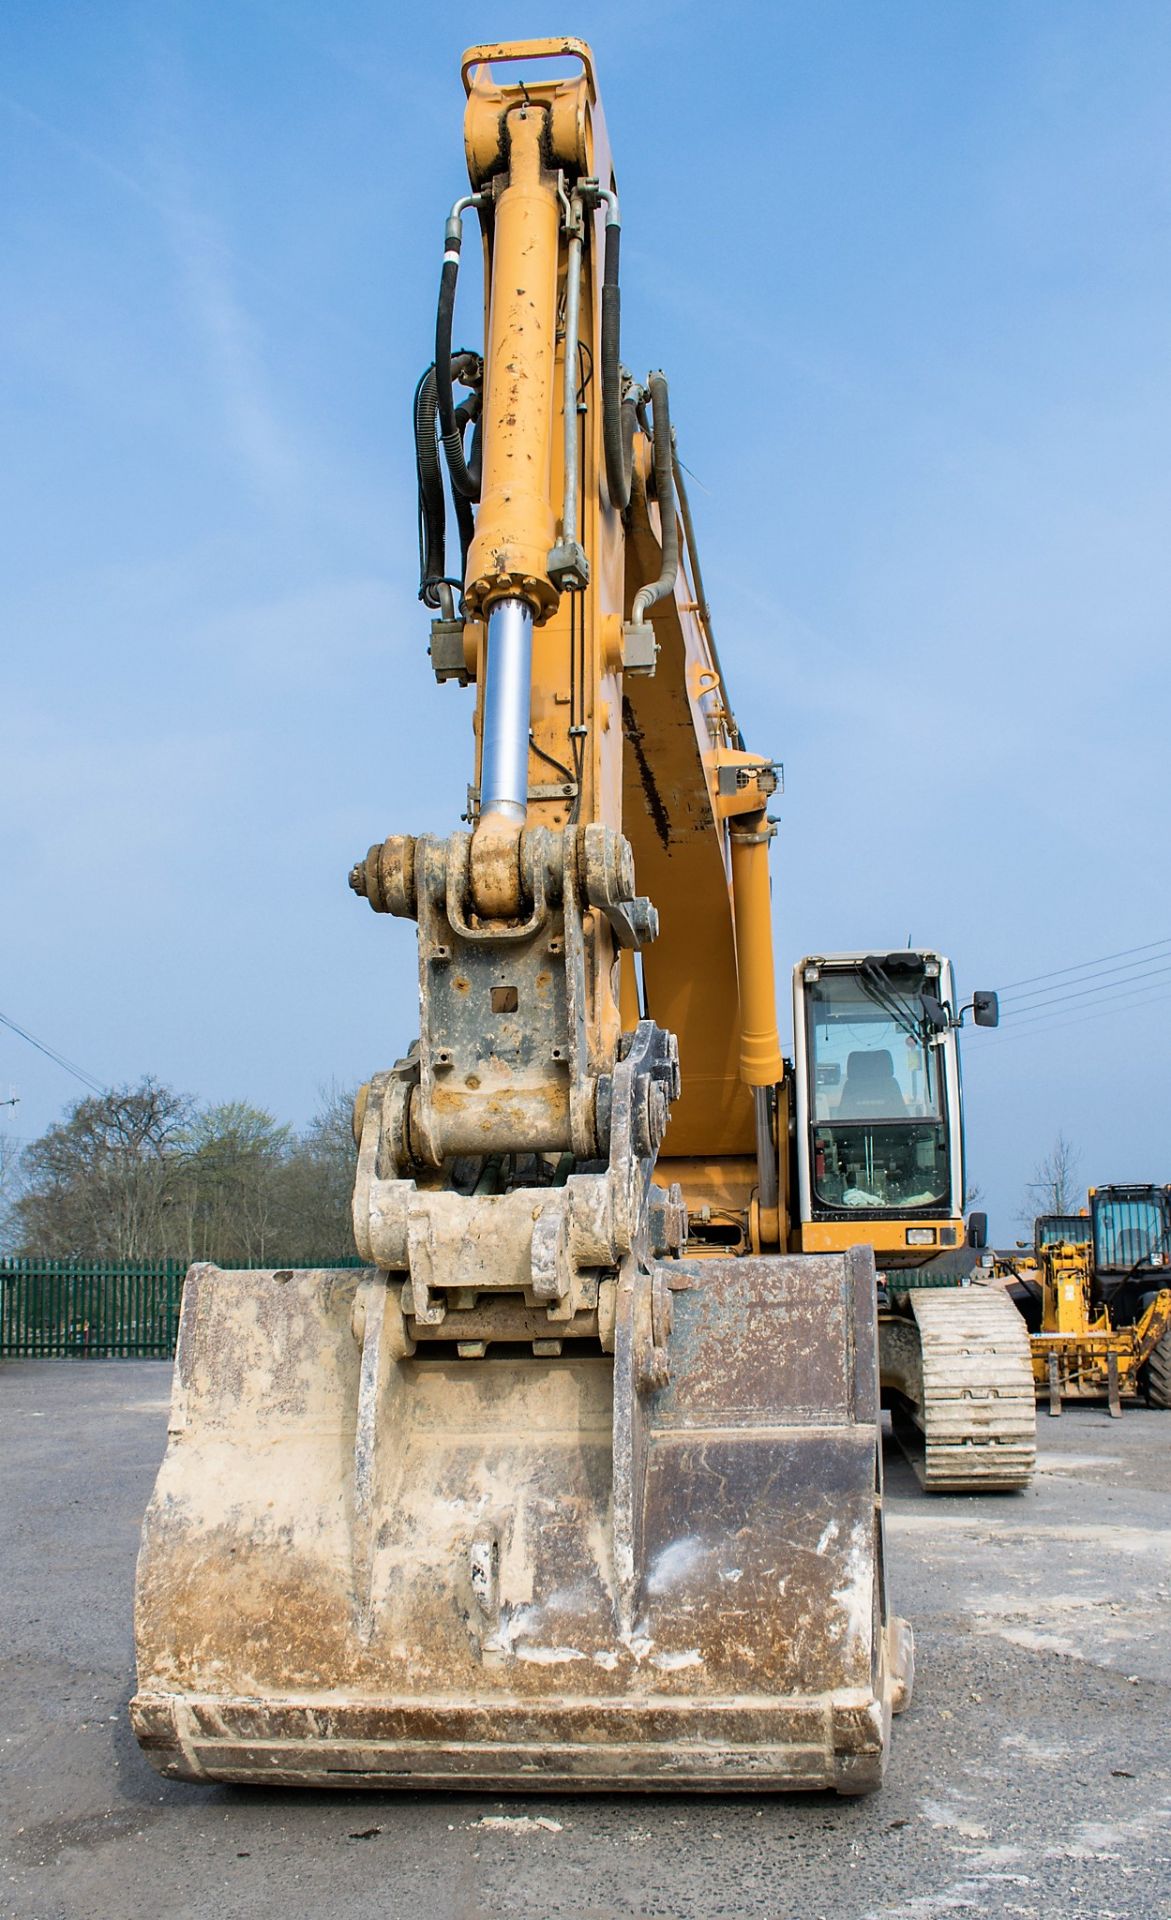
{"points": [[974, 1426]]}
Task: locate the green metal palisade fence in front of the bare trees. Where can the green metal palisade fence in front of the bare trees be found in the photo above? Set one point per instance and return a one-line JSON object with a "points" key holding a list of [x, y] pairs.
{"points": [[93, 1308]]}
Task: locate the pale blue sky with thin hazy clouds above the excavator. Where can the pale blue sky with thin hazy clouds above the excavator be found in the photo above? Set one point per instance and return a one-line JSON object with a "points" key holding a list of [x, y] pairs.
{"points": [[909, 270]]}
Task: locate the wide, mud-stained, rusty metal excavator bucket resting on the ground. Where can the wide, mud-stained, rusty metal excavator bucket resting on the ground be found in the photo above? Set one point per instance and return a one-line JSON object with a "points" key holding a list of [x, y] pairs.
{"points": [[370, 1568]]}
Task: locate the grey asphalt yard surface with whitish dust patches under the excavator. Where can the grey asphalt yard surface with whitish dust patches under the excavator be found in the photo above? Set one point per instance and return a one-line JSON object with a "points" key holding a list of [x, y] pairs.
{"points": [[1030, 1779]]}
